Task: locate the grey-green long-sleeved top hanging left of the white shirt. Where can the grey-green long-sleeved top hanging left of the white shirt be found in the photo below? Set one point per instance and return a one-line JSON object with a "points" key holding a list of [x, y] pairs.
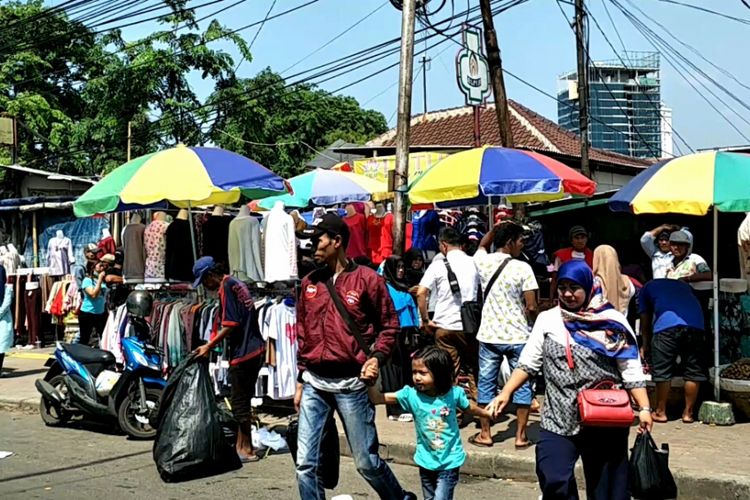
{"points": [[245, 261]]}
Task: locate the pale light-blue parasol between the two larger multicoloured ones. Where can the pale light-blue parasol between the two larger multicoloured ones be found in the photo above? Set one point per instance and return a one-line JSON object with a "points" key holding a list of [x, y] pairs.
{"points": [[328, 187]]}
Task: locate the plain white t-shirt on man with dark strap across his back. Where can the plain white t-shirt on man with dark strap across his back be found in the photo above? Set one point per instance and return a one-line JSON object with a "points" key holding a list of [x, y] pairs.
{"points": [[447, 303]]}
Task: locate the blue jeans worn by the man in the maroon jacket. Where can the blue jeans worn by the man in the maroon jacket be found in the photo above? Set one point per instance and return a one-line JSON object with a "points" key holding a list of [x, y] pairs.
{"points": [[357, 414]]}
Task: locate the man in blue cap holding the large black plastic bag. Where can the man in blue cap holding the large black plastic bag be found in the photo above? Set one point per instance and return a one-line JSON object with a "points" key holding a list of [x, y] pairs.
{"points": [[238, 320]]}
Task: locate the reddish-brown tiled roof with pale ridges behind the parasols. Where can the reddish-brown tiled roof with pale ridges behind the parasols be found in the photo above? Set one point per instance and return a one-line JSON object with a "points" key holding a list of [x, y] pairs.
{"points": [[455, 127]]}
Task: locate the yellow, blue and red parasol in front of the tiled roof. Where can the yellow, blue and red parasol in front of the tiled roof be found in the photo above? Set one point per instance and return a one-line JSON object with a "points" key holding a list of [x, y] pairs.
{"points": [[472, 176]]}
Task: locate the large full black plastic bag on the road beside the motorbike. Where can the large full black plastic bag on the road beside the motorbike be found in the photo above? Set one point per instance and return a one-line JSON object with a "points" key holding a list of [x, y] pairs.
{"points": [[190, 440]]}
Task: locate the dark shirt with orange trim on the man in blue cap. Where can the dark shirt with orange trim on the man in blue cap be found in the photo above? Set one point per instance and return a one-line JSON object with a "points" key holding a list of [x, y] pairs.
{"points": [[237, 310]]}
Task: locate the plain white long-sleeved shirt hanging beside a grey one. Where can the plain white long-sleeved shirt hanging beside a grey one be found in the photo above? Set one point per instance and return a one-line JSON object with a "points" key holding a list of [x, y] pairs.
{"points": [[280, 246]]}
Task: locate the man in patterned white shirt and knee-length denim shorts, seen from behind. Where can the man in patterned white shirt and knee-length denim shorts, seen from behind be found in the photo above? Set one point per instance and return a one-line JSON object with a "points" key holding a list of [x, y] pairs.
{"points": [[510, 305]]}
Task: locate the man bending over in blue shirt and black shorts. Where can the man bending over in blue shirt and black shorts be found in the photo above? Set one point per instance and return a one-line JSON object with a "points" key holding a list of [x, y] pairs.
{"points": [[672, 325]]}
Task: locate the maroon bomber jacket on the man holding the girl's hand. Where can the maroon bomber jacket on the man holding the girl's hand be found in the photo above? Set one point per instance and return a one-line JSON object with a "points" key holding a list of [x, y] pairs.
{"points": [[324, 344]]}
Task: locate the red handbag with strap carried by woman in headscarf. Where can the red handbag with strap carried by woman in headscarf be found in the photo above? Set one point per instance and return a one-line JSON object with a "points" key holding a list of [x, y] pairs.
{"points": [[602, 407]]}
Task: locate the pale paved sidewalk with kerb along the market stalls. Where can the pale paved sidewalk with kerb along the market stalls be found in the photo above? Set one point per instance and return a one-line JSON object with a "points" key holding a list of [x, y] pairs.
{"points": [[708, 462]]}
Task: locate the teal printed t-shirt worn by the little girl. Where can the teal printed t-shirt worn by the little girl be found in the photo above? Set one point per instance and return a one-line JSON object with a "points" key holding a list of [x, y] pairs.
{"points": [[439, 444]]}
